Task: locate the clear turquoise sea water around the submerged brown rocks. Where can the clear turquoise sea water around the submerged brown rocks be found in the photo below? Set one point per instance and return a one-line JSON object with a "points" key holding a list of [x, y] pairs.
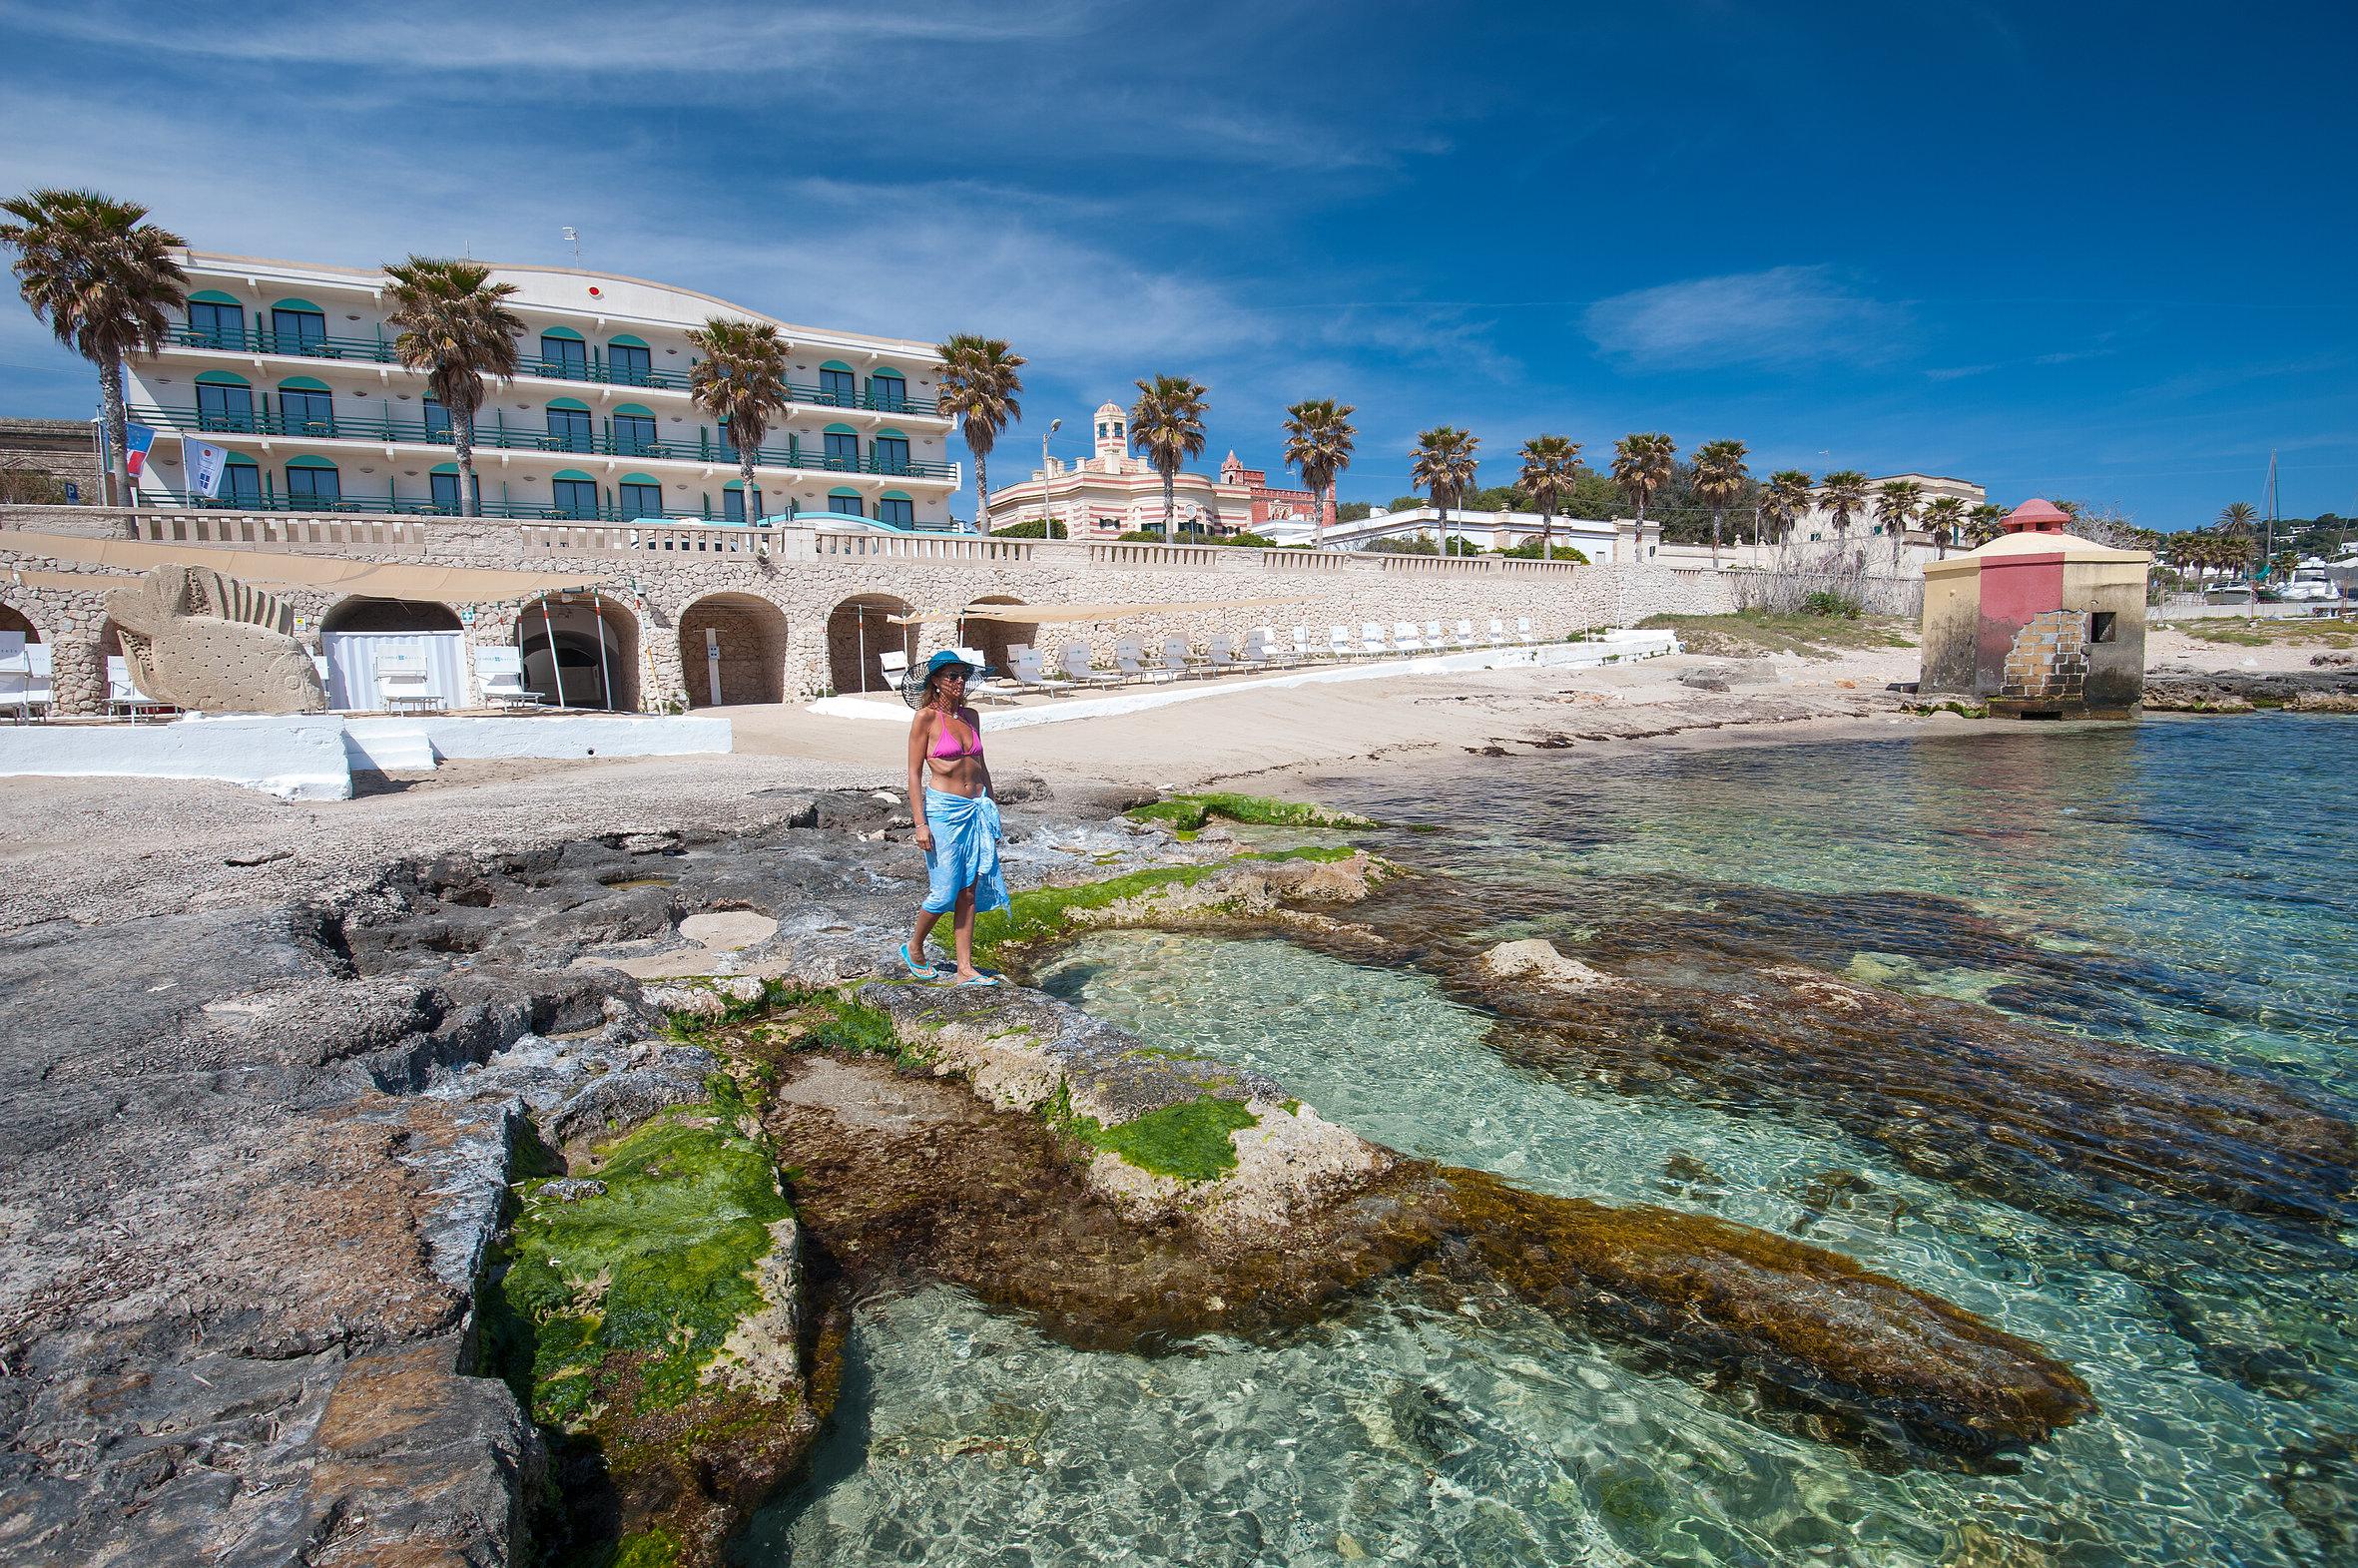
{"points": [[2171, 885]]}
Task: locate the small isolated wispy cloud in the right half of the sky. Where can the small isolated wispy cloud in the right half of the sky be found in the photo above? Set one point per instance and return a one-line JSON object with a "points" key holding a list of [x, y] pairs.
{"points": [[1784, 317]]}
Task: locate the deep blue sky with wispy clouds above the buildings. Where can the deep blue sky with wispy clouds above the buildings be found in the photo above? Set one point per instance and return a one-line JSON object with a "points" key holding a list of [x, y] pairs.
{"points": [[2093, 251]]}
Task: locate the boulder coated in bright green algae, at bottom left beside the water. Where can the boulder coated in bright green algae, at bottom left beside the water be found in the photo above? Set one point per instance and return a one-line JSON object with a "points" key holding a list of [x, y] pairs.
{"points": [[650, 1315]]}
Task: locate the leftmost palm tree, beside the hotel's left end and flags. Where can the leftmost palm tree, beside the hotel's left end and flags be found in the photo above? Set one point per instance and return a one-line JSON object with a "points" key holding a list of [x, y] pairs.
{"points": [[105, 282]]}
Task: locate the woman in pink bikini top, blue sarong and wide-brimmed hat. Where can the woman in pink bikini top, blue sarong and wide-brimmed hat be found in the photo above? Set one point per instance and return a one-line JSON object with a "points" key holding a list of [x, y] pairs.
{"points": [[959, 824]]}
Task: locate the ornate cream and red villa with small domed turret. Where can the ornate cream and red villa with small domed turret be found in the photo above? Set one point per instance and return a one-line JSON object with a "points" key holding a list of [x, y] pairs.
{"points": [[1112, 494]]}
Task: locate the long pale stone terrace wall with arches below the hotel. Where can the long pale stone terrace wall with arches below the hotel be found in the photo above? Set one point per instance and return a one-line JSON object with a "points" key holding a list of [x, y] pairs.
{"points": [[657, 579]]}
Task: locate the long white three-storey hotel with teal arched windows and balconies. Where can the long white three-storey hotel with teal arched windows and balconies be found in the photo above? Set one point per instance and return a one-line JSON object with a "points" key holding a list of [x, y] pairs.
{"points": [[291, 369]]}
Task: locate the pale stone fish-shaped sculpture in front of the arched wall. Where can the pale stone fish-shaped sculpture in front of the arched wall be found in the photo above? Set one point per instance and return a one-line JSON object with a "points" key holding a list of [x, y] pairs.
{"points": [[213, 645]]}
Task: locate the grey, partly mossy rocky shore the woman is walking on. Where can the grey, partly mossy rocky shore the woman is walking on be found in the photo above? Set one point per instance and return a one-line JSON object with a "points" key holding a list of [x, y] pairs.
{"points": [[416, 1230]]}
